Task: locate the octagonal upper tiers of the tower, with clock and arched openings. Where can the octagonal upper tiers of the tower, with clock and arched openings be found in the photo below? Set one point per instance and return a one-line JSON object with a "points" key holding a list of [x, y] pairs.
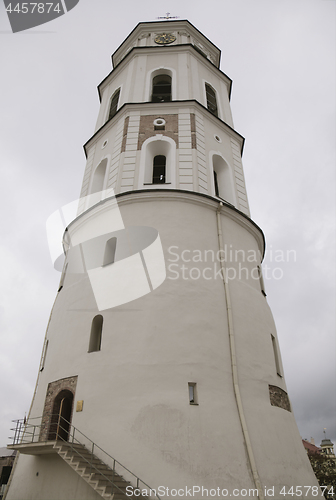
{"points": [[168, 87]]}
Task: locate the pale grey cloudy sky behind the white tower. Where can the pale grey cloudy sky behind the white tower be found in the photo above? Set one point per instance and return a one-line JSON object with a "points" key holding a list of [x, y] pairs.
{"points": [[280, 55]]}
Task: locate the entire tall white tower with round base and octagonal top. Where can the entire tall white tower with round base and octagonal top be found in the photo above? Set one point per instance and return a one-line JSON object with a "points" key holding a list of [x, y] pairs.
{"points": [[172, 370]]}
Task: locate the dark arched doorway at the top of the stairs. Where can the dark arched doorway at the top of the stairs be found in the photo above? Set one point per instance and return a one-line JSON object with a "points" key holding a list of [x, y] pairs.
{"points": [[61, 416]]}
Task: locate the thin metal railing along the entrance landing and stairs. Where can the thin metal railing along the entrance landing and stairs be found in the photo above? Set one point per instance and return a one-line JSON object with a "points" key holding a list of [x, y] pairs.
{"points": [[60, 429]]}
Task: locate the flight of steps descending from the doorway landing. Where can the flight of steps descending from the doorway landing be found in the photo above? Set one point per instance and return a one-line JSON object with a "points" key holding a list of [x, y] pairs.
{"points": [[104, 480]]}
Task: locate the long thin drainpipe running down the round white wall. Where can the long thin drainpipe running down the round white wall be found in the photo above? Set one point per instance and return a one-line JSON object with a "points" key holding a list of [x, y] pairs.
{"points": [[234, 369]]}
